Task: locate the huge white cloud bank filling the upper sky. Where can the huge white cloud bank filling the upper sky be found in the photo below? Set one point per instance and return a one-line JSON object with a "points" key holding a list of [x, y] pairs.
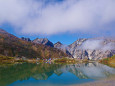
{"points": [[38, 17]]}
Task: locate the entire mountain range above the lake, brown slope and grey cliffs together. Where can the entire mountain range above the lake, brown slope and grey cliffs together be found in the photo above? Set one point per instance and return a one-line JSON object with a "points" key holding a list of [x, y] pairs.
{"points": [[93, 49]]}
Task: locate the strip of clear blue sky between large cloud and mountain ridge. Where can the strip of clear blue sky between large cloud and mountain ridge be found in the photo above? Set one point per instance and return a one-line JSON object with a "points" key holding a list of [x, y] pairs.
{"points": [[65, 38]]}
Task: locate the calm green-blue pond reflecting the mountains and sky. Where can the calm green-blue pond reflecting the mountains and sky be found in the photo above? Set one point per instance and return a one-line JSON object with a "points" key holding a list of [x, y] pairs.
{"points": [[46, 74]]}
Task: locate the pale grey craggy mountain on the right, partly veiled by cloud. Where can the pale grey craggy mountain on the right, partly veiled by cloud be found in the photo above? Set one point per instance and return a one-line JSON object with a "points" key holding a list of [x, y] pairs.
{"points": [[93, 49]]}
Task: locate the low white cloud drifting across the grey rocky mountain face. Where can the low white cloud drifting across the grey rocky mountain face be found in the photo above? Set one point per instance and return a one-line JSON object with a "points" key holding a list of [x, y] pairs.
{"points": [[97, 44]]}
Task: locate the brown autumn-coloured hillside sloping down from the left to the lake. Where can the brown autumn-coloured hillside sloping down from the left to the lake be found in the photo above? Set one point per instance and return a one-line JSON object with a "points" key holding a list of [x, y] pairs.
{"points": [[11, 45]]}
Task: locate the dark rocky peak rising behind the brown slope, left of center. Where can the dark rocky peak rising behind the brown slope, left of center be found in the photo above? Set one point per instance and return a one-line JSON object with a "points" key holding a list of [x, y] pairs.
{"points": [[43, 41]]}
